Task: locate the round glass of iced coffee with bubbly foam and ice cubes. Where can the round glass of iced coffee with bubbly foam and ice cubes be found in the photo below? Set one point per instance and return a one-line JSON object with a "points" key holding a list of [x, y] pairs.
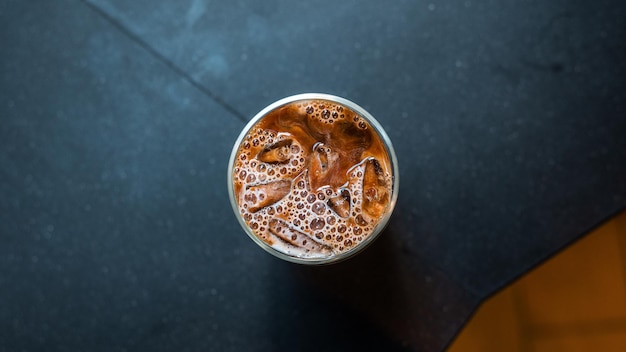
{"points": [[313, 178]]}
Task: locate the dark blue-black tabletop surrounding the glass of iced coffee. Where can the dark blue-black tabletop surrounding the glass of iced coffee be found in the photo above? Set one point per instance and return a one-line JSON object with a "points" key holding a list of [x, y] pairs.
{"points": [[117, 119]]}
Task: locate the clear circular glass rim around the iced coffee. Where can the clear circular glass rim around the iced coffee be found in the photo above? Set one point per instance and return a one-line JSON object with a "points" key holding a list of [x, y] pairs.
{"points": [[382, 223]]}
